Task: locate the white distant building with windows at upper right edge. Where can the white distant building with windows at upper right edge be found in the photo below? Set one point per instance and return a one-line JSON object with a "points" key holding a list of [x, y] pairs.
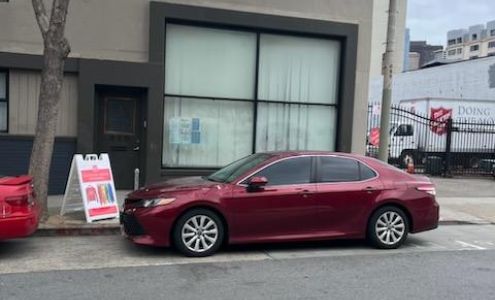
{"points": [[477, 41]]}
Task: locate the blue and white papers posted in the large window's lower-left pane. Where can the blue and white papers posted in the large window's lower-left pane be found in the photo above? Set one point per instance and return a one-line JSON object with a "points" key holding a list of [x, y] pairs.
{"points": [[185, 131]]}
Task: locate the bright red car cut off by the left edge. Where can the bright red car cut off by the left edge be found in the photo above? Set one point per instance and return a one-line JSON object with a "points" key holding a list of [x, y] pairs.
{"points": [[19, 212]]}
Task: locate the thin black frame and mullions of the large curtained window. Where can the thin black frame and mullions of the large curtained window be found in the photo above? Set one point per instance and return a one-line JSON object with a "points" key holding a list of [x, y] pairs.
{"points": [[255, 100]]}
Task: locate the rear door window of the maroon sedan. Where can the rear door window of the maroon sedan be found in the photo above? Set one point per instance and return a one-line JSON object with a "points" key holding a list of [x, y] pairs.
{"points": [[337, 169]]}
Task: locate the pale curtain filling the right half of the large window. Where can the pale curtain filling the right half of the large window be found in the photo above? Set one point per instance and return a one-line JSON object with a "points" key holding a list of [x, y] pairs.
{"points": [[297, 69]]}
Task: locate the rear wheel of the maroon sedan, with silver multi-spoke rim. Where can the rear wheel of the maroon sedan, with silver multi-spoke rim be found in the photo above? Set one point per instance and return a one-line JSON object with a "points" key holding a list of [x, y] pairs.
{"points": [[384, 234]]}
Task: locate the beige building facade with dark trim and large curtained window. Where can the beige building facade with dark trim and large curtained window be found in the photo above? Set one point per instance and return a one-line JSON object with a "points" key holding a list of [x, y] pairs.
{"points": [[179, 88]]}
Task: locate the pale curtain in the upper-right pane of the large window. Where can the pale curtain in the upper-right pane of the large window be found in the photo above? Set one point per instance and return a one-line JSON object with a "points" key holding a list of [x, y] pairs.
{"points": [[298, 69]]}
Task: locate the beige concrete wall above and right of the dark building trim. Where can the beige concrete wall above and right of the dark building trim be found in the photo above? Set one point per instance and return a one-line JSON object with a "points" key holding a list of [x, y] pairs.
{"points": [[119, 30]]}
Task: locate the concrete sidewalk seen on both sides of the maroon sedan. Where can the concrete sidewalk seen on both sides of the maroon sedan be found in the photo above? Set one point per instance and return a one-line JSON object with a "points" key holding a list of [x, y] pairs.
{"points": [[462, 201]]}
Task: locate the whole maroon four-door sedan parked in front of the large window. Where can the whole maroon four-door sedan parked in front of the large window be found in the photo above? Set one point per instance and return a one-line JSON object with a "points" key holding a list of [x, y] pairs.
{"points": [[283, 196]]}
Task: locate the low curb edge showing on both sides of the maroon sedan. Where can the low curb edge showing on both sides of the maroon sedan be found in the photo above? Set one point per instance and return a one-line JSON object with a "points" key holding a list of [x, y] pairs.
{"points": [[114, 229]]}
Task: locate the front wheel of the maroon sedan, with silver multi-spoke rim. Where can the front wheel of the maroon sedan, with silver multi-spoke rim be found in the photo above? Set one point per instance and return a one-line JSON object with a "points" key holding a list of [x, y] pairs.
{"points": [[198, 233]]}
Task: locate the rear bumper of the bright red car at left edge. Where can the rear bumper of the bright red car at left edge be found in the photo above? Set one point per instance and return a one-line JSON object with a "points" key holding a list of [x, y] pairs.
{"points": [[19, 226]]}
